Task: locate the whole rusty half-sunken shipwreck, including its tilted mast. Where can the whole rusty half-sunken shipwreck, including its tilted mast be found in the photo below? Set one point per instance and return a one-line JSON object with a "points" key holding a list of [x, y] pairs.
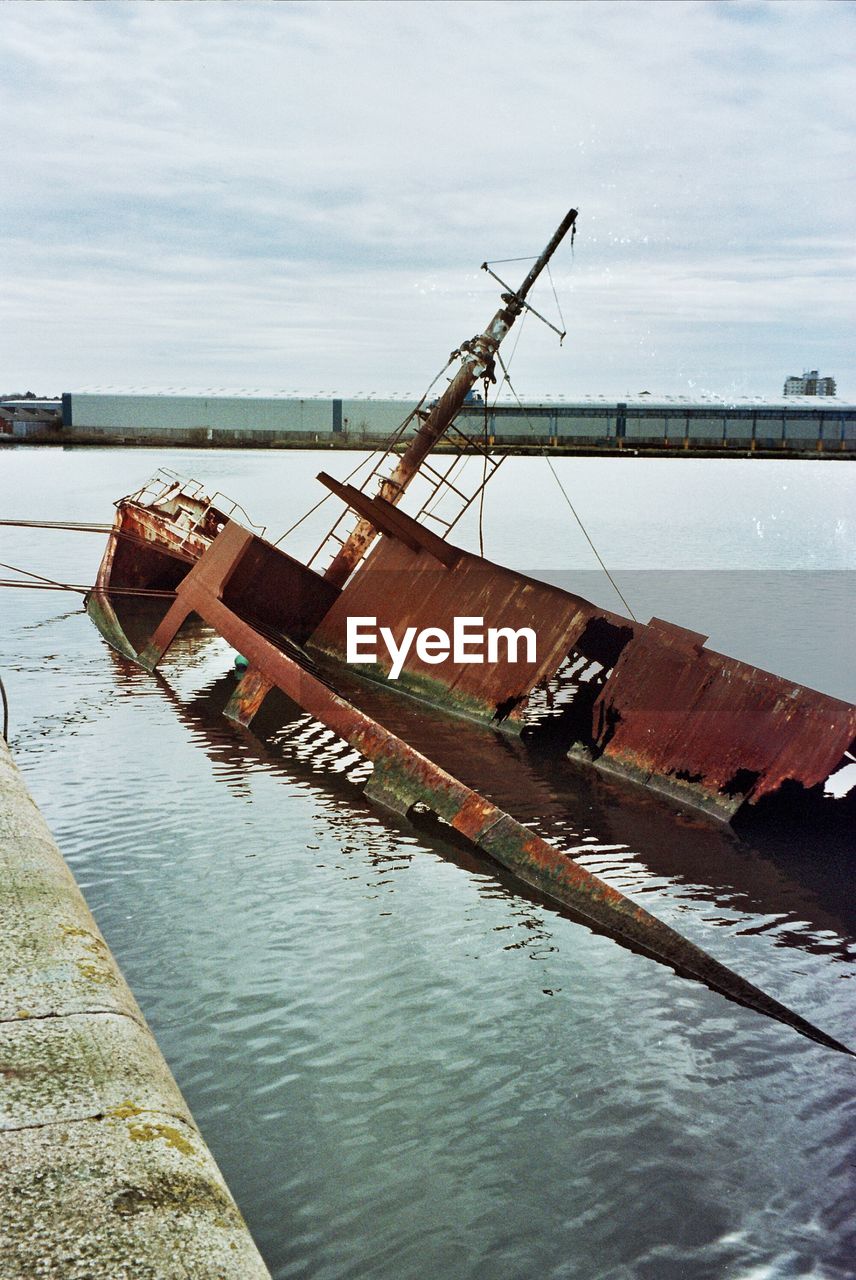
{"points": [[646, 702]]}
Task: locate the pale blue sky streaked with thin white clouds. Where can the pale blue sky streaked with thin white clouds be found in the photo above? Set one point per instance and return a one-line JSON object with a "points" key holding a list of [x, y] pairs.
{"points": [[299, 195]]}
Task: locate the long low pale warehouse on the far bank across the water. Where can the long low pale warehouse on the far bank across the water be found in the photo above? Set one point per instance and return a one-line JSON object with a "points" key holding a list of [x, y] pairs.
{"points": [[794, 424]]}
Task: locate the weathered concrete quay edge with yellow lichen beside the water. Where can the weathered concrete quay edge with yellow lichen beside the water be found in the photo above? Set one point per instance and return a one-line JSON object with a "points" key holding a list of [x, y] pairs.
{"points": [[104, 1174]]}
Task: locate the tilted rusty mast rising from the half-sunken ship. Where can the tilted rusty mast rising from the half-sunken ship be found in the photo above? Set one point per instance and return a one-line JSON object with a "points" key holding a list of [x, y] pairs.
{"points": [[478, 362]]}
